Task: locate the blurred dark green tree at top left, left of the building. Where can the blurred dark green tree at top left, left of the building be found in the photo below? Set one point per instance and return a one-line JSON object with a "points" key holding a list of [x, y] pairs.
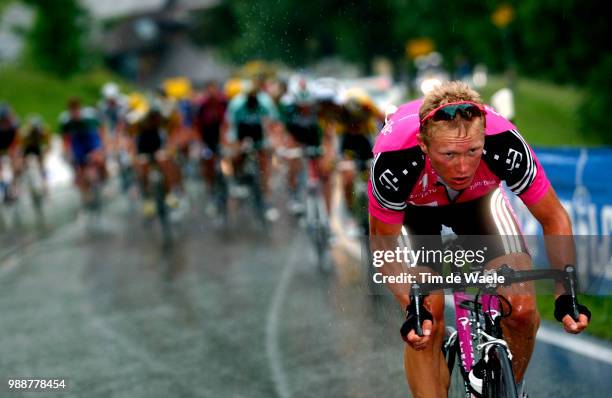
{"points": [[57, 39]]}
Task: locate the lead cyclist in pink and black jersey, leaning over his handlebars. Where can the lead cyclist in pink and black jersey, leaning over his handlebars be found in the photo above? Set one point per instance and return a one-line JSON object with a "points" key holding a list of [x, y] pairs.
{"points": [[439, 162]]}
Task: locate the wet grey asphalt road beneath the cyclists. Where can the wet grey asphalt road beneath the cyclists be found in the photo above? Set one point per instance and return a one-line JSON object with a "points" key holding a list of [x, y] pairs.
{"points": [[239, 314]]}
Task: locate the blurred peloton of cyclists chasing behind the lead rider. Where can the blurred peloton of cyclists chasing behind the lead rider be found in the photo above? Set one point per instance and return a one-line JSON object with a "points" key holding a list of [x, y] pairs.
{"points": [[166, 128]]}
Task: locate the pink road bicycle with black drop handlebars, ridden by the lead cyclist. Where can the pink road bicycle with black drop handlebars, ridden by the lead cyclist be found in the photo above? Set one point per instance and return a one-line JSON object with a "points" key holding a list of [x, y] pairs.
{"points": [[478, 334]]}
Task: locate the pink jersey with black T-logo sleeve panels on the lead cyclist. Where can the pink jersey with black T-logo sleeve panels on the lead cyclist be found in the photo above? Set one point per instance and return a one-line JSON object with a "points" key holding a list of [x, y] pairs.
{"points": [[402, 174]]}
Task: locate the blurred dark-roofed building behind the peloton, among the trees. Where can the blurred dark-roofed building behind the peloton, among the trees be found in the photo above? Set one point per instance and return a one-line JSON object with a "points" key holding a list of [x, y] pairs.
{"points": [[150, 43]]}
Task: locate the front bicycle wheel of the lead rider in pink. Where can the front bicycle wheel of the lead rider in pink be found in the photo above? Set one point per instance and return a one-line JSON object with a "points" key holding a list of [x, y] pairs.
{"points": [[499, 378]]}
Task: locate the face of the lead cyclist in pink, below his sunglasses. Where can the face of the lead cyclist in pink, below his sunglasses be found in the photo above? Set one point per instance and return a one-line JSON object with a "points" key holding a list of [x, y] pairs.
{"points": [[455, 152]]}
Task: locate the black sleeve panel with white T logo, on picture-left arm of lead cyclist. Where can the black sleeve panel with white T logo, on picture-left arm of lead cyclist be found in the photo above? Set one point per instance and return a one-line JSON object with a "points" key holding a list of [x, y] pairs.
{"points": [[393, 176]]}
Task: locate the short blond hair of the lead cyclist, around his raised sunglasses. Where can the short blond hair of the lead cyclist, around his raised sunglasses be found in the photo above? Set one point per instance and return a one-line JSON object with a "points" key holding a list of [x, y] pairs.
{"points": [[445, 93]]}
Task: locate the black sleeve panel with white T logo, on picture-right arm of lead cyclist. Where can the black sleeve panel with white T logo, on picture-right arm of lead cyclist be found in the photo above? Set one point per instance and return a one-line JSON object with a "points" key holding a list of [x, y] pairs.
{"points": [[509, 157]]}
